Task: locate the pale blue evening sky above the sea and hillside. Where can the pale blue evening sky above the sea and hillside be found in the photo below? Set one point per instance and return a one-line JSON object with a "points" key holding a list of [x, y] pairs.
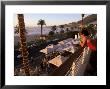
{"points": [[31, 20]]}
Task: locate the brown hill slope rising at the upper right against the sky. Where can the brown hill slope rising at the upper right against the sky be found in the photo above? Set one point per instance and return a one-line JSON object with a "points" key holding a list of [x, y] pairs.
{"points": [[89, 19]]}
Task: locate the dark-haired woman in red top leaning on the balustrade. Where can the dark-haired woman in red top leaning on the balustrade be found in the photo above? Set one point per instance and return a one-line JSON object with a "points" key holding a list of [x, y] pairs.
{"points": [[86, 41]]}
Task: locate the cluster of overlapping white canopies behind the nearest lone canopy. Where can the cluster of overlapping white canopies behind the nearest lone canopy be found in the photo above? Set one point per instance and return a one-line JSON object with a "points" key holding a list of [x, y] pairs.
{"points": [[67, 45]]}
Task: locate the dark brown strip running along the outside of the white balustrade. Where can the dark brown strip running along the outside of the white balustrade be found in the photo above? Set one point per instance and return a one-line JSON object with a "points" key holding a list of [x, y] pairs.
{"points": [[63, 69]]}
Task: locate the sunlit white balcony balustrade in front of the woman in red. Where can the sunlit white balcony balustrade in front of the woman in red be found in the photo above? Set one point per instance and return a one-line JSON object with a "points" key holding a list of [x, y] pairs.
{"points": [[79, 66]]}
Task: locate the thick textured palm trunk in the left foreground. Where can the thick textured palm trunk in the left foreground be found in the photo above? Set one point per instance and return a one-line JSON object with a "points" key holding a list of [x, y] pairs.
{"points": [[23, 47]]}
